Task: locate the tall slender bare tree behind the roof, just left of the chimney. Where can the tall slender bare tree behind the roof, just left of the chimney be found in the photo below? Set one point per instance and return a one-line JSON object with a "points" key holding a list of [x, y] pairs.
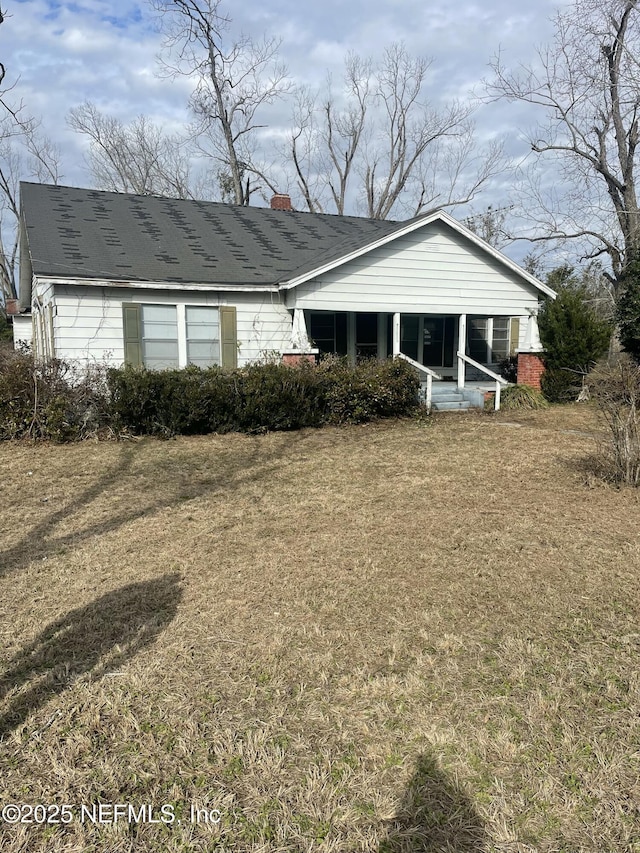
{"points": [[235, 81]]}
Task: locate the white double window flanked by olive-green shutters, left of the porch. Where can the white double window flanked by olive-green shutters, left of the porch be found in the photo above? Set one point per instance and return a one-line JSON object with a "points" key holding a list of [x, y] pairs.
{"points": [[169, 336]]}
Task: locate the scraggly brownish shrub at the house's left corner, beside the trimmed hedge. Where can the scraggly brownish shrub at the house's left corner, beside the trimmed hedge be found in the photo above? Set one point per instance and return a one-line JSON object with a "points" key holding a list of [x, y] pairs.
{"points": [[49, 401]]}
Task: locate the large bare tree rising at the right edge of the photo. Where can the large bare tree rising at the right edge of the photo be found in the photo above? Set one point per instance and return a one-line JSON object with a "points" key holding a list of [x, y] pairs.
{"points": [[588, 84]]}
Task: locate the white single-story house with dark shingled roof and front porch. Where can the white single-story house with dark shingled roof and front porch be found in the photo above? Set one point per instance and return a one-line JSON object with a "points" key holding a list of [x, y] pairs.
{"points": [[163, 282]]}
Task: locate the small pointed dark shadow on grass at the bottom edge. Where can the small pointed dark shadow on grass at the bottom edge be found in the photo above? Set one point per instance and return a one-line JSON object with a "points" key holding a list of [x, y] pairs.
{"points": [[435, 817]]}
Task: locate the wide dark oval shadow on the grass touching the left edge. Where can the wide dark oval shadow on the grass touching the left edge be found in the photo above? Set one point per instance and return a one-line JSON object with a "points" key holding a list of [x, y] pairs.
{"points": [[96, 639]]}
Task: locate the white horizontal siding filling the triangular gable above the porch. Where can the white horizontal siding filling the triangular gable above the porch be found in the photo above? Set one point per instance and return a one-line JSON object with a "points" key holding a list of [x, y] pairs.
{"points": [[433, 270]]}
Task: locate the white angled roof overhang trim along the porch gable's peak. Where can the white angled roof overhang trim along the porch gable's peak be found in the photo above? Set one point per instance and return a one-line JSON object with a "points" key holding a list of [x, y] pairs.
{"points": [[408, 228]]}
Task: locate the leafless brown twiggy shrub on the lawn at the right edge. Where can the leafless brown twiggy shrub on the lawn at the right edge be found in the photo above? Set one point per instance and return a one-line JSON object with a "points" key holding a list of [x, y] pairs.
{"points": [[616, 390]]}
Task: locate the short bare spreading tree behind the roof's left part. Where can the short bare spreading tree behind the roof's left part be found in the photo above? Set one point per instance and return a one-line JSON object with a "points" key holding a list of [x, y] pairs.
{"points": [[136, 158]]}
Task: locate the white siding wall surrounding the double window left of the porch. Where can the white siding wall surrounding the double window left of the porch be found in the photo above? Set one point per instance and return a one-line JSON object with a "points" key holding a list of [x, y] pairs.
{"points": [[88, 320]]}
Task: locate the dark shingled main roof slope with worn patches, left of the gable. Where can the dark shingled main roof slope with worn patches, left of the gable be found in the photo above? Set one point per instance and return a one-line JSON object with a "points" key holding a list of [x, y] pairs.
{"points": [[84, 233]]}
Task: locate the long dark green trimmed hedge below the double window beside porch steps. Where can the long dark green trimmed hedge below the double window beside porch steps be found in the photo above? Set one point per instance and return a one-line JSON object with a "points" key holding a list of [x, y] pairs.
{"points": [[259, 398]]}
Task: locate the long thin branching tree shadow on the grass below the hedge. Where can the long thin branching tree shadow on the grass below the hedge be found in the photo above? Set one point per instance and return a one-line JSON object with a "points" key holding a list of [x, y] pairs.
{"points": [[253, 465]]}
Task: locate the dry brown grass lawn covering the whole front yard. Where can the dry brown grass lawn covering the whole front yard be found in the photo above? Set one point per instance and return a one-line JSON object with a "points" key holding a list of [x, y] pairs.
{"points": [[399, 637]]}
